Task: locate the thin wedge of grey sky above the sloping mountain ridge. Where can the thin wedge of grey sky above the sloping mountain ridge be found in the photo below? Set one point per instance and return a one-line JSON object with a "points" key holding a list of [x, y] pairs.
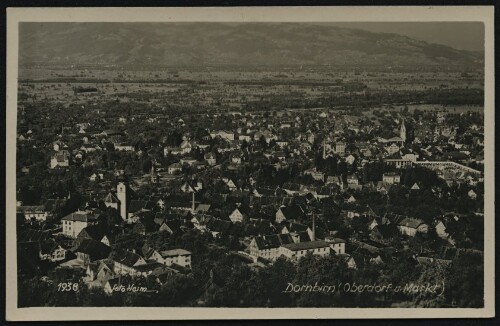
{"points": [[459, 35]]}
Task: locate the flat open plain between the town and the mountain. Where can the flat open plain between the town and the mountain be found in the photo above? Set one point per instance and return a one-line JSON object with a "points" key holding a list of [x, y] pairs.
{"points": [[255, 90]]}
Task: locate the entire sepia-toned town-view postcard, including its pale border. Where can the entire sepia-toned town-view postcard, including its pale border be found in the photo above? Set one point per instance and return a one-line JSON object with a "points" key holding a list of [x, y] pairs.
{"points": [[248, 163]]}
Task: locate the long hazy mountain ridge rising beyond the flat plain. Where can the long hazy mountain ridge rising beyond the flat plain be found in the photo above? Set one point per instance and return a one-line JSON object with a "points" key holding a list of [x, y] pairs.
{"points": [[178, 44]]}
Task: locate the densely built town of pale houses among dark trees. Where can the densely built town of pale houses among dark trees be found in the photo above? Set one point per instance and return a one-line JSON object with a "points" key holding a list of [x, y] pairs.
{"points": [[225, 206]]}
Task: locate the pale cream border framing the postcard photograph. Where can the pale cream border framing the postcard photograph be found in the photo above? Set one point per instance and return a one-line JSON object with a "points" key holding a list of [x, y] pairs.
{"points": [[245, 14]]}
